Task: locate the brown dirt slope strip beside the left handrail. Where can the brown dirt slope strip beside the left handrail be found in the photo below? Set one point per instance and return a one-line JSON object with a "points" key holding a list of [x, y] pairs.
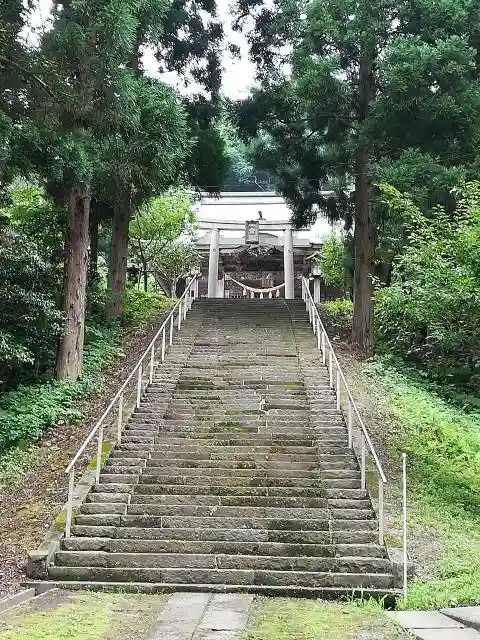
{"points": [[28, 508]]}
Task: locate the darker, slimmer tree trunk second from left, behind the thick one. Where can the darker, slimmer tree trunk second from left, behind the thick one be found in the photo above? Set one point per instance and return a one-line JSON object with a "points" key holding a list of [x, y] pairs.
{"points": [[117, 268]]}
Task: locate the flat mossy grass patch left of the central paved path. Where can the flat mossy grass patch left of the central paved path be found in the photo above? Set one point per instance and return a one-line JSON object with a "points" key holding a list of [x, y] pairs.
{"points": [[82, 616]]}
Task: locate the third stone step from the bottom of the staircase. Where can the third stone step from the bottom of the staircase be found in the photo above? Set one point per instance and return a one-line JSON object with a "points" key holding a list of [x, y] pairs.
{"points": [[139, 560]]}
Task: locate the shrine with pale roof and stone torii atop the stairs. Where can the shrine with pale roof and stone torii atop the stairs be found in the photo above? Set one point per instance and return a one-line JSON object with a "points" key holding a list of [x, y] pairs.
{"points": [[250, 249]]}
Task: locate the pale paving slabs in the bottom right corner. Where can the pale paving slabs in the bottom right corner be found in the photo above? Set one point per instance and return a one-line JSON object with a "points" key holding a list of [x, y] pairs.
{"points": [[462, 623]]}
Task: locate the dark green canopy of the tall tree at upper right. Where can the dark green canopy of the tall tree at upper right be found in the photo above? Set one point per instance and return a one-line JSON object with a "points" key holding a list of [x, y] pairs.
{"points": [[416, 121]]}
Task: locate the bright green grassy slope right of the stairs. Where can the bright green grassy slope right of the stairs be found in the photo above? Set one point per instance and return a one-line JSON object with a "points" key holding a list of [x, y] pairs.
{"points": [[443, 448]]}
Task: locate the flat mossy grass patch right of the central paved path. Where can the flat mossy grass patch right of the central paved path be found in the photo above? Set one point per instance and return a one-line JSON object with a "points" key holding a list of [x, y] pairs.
{"points": [[289, 619]]}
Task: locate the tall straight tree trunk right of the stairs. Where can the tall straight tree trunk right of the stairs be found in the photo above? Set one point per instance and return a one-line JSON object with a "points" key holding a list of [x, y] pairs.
{"points": [[362, 328]]}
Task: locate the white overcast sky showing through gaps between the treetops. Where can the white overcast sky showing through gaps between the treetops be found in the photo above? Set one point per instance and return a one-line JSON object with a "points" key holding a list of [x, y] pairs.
{"points": [[238, 74]]}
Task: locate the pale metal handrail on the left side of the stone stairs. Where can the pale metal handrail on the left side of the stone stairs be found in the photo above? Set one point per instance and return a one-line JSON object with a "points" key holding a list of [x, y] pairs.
{"points": [[181, 308]]}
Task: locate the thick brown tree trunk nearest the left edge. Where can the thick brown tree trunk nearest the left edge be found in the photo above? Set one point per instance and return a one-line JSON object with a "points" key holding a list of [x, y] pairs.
{"points": [[70, 351]]}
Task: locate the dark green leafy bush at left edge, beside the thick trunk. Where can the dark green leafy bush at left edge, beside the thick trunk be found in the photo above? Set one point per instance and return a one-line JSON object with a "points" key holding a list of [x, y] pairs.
{"points": [[29, 319]]}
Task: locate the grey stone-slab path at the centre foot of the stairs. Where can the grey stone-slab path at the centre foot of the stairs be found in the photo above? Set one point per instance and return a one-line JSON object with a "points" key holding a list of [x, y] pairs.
{"points": [[203, 616]]}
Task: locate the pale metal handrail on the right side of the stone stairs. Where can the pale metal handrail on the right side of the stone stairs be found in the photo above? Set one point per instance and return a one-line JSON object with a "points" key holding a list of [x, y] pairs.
{"points": [[337, 378]]}
